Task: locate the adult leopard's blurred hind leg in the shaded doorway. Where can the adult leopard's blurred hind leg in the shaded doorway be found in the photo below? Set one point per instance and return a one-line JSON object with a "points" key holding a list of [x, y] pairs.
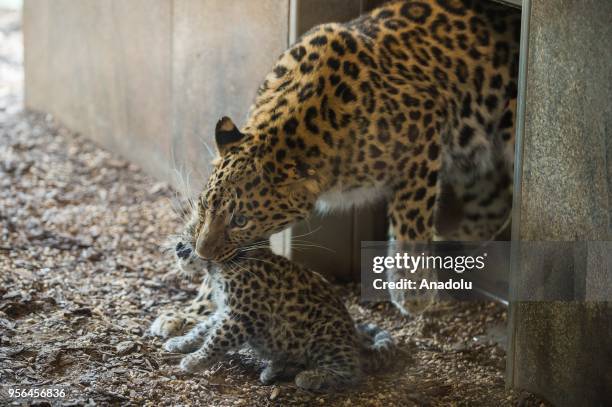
{"points": [[475, 201]]}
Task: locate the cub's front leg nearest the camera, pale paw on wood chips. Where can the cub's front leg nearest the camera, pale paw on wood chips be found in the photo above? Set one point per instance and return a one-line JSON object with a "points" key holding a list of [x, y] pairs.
{"points": [[223, 336]]}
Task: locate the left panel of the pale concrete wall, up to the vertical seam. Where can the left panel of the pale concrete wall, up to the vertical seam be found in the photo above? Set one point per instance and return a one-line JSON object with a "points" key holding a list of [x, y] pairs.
{"points": [[103, 69]]}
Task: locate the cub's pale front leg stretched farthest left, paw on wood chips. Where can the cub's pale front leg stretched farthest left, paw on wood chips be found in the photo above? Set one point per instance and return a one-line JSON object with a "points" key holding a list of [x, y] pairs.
{"points": [[172, 322]]}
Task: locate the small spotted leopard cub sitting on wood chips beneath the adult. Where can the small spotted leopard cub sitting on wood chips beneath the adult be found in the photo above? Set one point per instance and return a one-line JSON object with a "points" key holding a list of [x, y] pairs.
{"points": [[290, 316]]}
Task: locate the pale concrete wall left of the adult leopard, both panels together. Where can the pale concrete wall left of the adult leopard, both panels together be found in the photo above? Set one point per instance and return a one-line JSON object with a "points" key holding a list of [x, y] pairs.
{"points": [[148, 78]]}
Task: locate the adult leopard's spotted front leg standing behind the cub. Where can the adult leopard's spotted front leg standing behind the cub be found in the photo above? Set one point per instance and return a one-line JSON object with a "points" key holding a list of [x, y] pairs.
{"points": [[411, 215]]}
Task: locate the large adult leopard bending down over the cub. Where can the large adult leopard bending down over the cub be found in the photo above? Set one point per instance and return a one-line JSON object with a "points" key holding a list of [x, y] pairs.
{"points": [[410, 99]]}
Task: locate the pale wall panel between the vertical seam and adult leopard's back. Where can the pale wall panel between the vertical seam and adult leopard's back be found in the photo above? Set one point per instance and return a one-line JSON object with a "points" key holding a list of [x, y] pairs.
{"points": [[222, 50]]}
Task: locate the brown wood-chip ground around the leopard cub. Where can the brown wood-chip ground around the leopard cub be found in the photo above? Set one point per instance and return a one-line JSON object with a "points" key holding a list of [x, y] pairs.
{"points": [[82, 277]]}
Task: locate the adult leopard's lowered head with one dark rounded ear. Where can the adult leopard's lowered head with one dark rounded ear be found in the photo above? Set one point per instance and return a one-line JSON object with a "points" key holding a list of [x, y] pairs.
{"points": [[257, 188]]}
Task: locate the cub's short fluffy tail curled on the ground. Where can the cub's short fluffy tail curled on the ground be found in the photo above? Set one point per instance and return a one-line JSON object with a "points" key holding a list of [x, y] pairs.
{"points": [[378, 350]]}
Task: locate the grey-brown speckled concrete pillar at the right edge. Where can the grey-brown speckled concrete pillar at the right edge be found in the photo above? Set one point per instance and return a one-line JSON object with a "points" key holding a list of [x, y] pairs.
{"points": [[563, 350]]}
